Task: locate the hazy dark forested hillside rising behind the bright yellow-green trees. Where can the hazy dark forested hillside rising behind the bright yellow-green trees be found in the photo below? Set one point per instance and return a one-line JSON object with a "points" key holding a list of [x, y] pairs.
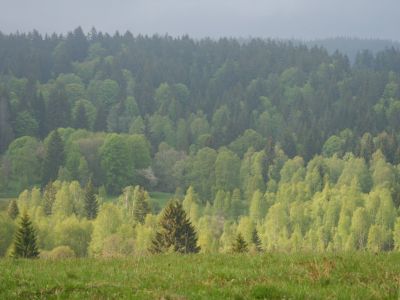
{"points": [[183, 96]]}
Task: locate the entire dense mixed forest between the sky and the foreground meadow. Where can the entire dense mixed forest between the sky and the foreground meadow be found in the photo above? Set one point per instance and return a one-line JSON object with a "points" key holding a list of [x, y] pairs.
{"points": [[270, 144]]}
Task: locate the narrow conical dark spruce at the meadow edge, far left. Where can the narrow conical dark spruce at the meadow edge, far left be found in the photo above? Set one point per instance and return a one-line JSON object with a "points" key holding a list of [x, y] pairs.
{"points": [[25, 240]]}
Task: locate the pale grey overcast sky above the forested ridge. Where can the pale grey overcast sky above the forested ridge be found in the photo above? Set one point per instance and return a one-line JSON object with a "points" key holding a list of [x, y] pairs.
{"points": [[302, 19]]}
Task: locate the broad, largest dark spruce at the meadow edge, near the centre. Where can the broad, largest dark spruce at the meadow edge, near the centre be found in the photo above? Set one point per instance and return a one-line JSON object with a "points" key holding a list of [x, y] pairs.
{"points": [[176, 233]]}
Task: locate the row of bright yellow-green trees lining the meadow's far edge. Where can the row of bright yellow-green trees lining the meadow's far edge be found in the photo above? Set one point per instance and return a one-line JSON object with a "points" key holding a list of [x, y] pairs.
{"points": [[341, 214]]}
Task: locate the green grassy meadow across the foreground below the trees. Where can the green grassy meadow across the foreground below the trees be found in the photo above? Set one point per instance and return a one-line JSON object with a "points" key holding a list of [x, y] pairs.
{"points": [[267, 276]]}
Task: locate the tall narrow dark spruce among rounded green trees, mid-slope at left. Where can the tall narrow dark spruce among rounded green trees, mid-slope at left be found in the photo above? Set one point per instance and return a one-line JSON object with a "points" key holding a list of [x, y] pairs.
{"points": [[54, 157]]}
